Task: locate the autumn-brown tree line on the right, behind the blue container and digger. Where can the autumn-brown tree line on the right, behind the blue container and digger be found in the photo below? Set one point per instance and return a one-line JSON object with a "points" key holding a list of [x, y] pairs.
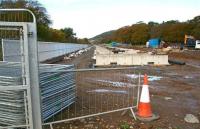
{"points": [[171, 31]]}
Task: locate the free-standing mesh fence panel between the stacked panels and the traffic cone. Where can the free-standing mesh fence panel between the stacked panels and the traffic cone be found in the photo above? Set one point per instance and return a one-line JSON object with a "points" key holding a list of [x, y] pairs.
{"points": [[98, 91]]}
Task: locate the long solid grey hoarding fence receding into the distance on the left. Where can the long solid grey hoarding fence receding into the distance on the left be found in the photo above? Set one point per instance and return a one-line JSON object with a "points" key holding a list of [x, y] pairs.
{"points": [[46, 50]]}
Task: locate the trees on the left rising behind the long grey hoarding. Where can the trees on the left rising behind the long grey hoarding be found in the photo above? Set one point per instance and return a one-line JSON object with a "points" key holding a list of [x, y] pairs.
{"points": [[44, 31]]}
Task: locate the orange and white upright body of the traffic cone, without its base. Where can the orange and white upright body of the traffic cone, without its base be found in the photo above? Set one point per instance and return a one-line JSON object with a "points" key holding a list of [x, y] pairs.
{"points": [[144, 108]]}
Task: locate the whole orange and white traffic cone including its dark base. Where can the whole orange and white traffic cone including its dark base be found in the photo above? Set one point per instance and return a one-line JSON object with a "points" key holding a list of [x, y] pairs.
{"points": [[144, 108]]}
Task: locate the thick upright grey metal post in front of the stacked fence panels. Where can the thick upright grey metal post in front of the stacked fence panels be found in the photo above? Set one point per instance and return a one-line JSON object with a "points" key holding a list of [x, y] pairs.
{"points": [[34, 76]]}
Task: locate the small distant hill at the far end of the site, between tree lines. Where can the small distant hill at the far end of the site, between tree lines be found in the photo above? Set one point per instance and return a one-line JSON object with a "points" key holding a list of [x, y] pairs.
{"points": [[103, 37]]}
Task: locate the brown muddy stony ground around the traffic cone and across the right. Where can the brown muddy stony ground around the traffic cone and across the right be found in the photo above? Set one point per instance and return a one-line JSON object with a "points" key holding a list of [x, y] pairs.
{"points": [[176, 94]]}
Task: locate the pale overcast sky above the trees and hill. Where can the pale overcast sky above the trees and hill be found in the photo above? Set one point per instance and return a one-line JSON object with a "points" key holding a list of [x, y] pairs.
{"points": [[91, 17]]}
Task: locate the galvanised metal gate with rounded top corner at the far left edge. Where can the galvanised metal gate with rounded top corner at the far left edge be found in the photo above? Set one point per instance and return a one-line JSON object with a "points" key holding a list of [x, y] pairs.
{"points": [[15, 104]]}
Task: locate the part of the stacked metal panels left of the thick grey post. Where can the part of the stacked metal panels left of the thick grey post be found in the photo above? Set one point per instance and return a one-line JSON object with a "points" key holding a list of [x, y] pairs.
{"points": [[12, 102]]}
